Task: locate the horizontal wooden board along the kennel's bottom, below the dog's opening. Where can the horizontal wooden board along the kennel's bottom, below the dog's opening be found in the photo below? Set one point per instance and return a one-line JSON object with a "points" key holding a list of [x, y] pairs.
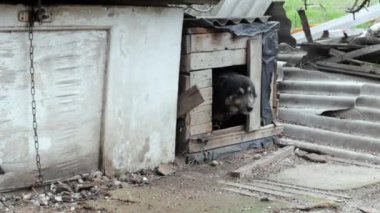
{"points": [[234, 138]]}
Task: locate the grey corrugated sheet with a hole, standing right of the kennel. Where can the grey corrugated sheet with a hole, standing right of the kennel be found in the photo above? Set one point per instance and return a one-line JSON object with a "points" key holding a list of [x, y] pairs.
{"points": [[332, 110]]}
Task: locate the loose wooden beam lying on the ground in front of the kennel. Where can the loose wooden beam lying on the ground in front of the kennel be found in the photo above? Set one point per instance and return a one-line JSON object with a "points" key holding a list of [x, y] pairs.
{"points": [[263, 162]]}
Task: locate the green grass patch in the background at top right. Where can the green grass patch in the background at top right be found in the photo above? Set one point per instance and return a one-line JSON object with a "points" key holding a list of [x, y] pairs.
{"points": [[319, 11]]}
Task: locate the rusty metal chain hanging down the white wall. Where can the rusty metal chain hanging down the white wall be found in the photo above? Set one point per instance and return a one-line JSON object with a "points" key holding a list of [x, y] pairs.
{"points": [[33, 93]]}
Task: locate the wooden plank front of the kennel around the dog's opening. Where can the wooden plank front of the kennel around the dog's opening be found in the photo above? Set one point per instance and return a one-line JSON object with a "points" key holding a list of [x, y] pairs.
{"points": [[205, 52]]}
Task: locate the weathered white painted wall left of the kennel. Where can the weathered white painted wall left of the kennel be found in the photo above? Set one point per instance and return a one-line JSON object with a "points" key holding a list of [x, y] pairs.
{"points": [[136, 52]]}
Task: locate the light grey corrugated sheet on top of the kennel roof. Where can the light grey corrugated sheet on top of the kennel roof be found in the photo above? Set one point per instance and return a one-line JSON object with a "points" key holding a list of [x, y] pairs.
{"points": [[233, 8]]}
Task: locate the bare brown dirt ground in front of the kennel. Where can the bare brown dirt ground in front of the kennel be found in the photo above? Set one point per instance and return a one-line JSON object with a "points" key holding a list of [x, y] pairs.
{"points": [[197, 189]]}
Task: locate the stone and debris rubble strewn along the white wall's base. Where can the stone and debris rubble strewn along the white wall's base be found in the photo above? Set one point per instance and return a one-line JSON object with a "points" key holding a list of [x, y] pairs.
{"points": [[77, 189]]}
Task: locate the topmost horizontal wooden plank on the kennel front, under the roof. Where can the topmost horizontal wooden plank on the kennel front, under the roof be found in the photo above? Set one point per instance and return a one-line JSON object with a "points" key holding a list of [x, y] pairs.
{"points": [[214, 42]]}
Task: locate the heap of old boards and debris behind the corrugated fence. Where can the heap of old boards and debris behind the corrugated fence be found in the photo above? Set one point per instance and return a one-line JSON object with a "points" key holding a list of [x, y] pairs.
{"points": [[357, 55]]}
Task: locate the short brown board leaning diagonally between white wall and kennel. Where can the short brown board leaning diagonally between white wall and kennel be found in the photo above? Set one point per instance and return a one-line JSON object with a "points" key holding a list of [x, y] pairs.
{"points": [[188, 100]]}
